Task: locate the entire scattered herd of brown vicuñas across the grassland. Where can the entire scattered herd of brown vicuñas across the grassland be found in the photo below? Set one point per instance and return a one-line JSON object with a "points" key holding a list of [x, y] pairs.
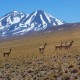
{"points": [[65, 45]]}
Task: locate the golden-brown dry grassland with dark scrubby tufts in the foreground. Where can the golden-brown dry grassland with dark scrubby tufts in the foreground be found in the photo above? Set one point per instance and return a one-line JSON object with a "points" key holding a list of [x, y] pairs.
{"points": [[26, 63]]}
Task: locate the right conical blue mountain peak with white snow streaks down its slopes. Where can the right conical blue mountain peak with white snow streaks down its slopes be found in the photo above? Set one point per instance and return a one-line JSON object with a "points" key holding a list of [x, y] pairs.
{"points": [[38, 20]]}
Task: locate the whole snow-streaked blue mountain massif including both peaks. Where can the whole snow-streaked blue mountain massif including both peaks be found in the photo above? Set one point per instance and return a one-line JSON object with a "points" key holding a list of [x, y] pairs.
{"points": [[17, 23]]}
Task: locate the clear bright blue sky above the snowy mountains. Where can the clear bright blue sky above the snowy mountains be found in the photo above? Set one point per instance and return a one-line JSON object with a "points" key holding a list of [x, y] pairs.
{"points": [[66, 10]]}
